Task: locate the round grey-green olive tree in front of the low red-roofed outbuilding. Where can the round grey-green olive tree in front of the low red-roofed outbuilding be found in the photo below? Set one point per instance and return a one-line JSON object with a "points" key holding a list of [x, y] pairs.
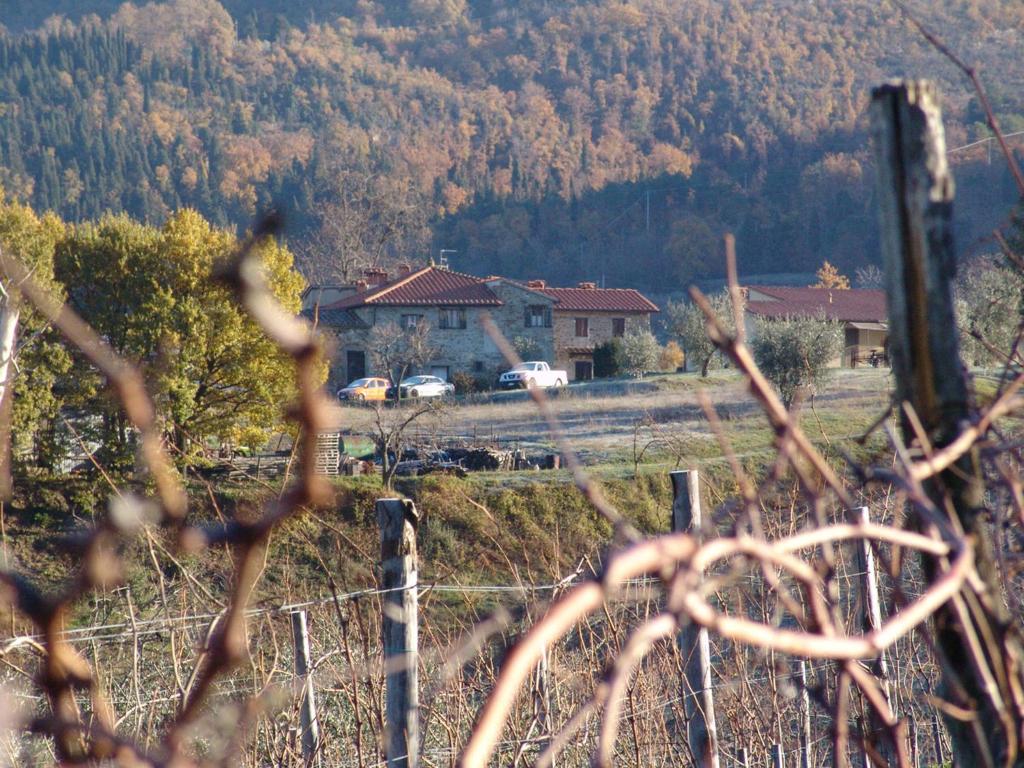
{"points": [[795, 354]]}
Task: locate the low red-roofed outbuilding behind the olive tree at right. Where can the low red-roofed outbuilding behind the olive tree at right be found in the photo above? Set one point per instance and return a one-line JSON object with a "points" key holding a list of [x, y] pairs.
{"points": [[863, 314]]}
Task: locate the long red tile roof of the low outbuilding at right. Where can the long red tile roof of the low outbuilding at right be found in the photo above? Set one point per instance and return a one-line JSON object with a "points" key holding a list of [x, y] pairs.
{"points": [[855, 306]]}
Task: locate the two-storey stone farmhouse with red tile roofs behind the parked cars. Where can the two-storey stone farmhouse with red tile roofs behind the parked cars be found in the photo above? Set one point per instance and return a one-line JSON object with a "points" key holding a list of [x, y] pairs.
{"points": [[566, 323]]}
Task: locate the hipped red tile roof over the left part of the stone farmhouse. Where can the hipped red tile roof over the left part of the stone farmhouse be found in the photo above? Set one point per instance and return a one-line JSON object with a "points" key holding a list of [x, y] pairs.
{"points": [[431, 286]]}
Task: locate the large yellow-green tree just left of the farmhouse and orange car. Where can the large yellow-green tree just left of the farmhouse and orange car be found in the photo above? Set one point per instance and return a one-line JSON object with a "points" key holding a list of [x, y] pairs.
{"points": [[151, 294]]}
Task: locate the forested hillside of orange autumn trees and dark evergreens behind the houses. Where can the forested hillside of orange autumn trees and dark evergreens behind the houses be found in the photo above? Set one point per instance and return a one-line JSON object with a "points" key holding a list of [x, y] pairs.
{"points": [[558, 140]]}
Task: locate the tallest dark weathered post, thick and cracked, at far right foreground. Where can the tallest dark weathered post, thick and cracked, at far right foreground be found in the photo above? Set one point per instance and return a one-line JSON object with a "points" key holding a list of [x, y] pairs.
{"points": [[916, 194]]}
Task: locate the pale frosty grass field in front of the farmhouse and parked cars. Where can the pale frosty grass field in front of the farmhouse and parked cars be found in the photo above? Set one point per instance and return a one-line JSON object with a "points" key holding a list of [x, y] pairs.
{"points": [[610, 424]]}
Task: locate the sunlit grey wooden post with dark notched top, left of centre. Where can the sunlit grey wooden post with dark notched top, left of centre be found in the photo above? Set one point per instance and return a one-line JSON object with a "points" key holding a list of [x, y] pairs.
{"points": [[398, 521]]}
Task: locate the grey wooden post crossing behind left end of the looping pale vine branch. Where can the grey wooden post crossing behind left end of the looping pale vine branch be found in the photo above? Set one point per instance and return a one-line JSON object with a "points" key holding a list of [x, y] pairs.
{"points": [[695, 646]]}
